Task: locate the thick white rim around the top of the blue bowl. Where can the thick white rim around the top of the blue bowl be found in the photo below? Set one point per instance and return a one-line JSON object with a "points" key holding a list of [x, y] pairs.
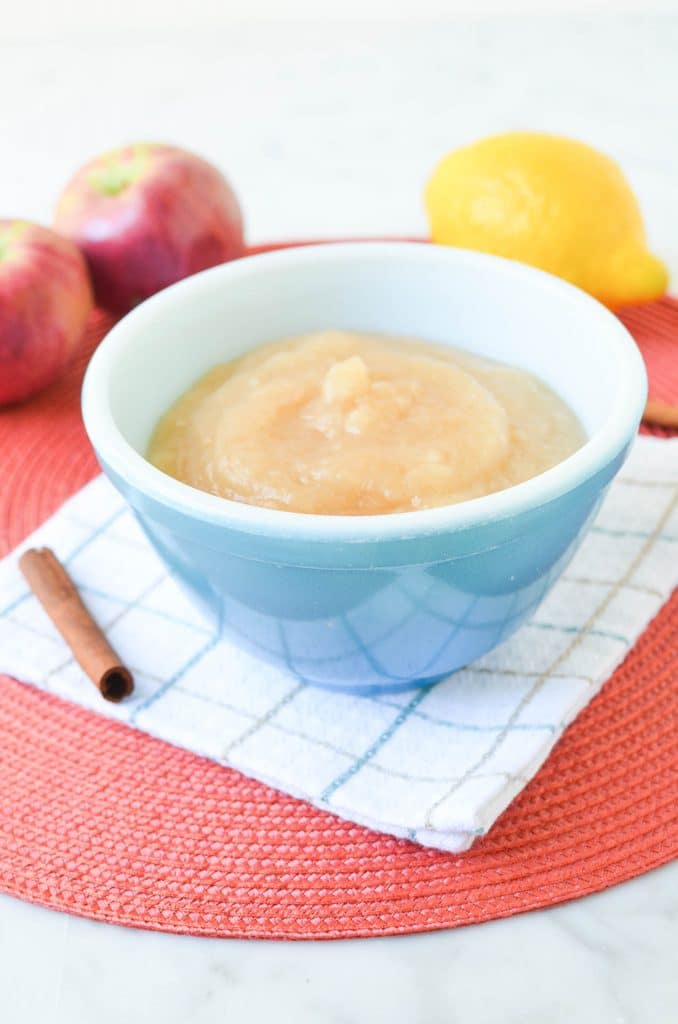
{"points": [[605, 445]]}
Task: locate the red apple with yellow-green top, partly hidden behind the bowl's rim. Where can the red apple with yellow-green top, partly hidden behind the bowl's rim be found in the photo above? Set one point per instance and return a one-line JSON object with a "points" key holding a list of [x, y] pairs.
{"points": [[147, 216]]}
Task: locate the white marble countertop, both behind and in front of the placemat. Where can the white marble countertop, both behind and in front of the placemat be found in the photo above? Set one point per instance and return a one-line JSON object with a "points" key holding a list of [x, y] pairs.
{"points": [[332, 131]]}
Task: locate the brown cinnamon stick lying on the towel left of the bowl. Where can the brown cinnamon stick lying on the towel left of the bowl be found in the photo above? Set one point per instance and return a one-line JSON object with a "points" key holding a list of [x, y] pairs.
{"points": [[59, 596]]}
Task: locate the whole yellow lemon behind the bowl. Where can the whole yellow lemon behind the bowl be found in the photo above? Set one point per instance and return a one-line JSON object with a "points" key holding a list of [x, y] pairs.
{"points": [[550, 202]]}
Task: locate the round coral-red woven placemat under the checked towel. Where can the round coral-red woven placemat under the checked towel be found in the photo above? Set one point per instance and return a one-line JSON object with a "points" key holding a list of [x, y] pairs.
{"points": [[99, 820]]}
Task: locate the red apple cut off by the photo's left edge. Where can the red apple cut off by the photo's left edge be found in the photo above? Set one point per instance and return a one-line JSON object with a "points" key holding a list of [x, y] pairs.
{"points": [[46, 297]]}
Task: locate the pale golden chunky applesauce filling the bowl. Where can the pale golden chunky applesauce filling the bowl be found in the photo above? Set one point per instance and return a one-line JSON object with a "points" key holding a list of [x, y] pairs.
{"points": [[360, 424]]}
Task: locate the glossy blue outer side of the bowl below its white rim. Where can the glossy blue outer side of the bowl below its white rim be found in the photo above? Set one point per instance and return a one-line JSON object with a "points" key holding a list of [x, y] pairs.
{"points": [[371, 628]]}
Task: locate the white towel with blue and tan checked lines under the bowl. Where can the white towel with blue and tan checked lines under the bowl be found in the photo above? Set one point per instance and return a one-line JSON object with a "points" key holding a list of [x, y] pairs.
{"points": [[437, 765]]}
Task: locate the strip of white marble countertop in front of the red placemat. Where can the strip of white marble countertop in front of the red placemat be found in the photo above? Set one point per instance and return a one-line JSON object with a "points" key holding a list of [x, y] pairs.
{"points": [[609, 959]]}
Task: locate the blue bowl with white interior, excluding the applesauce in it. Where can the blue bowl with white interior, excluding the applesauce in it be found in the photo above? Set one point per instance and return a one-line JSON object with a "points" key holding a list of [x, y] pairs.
{"points": [[368, 604]]}
